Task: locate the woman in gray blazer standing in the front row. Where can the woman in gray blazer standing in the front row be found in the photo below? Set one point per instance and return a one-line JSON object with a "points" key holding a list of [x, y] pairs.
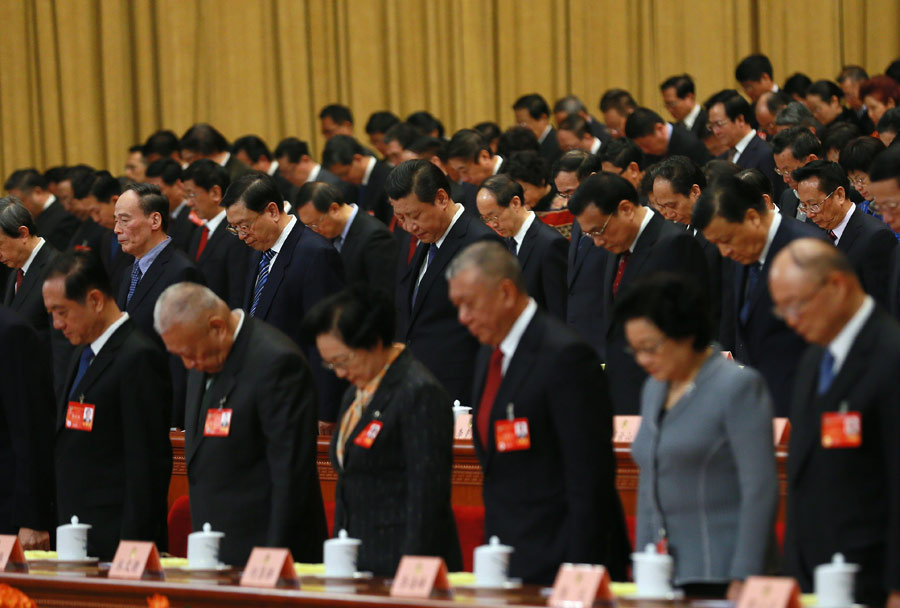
{"points": [[708, 487]]}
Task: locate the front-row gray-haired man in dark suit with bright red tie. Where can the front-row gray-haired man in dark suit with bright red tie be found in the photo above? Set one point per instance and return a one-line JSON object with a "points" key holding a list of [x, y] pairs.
{"points": [[554, 499]]}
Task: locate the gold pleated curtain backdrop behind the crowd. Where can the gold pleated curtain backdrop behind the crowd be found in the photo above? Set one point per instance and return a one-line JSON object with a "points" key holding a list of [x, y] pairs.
{"points": [[81, 80]]}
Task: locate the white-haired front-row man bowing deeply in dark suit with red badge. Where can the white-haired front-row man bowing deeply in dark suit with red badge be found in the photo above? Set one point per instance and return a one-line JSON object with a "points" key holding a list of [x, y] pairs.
{"points": [[250, 430]]}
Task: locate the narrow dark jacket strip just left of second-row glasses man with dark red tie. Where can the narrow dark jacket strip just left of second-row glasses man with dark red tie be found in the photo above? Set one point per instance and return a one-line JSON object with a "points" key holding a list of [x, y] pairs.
{"points": [[584, 277]]}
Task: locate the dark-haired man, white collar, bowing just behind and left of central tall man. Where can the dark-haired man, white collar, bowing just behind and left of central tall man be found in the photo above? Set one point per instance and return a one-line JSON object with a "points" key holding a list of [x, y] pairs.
{"points": [[351, 162]]}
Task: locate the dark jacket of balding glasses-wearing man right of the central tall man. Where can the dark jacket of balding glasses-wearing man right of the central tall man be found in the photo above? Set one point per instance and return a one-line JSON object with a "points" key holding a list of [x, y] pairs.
{"points": [[543, 260]]}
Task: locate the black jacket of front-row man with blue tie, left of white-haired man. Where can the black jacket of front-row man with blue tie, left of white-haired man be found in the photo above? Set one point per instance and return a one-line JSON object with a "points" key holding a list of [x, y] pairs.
{"points": [[116, 477]]}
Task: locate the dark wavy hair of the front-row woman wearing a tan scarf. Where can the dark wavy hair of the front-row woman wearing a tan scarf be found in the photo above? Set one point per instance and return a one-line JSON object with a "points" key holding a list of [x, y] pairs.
{"points": [[361, 315]]}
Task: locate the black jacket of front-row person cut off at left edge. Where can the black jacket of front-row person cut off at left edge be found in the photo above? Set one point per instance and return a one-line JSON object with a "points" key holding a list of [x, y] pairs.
{"points": [[27, 412]]}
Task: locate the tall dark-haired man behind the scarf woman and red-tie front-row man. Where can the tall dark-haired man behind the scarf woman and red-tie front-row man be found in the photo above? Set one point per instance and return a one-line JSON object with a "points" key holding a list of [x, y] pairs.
{"points": [[426, 320]]}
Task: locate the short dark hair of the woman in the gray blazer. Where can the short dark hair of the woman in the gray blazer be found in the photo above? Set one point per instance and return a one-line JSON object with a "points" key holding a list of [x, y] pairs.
{"points": [[672, 302]]}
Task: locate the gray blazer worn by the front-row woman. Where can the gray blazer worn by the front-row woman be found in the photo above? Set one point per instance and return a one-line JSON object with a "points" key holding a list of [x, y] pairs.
{"points": [[708, 474]]}
